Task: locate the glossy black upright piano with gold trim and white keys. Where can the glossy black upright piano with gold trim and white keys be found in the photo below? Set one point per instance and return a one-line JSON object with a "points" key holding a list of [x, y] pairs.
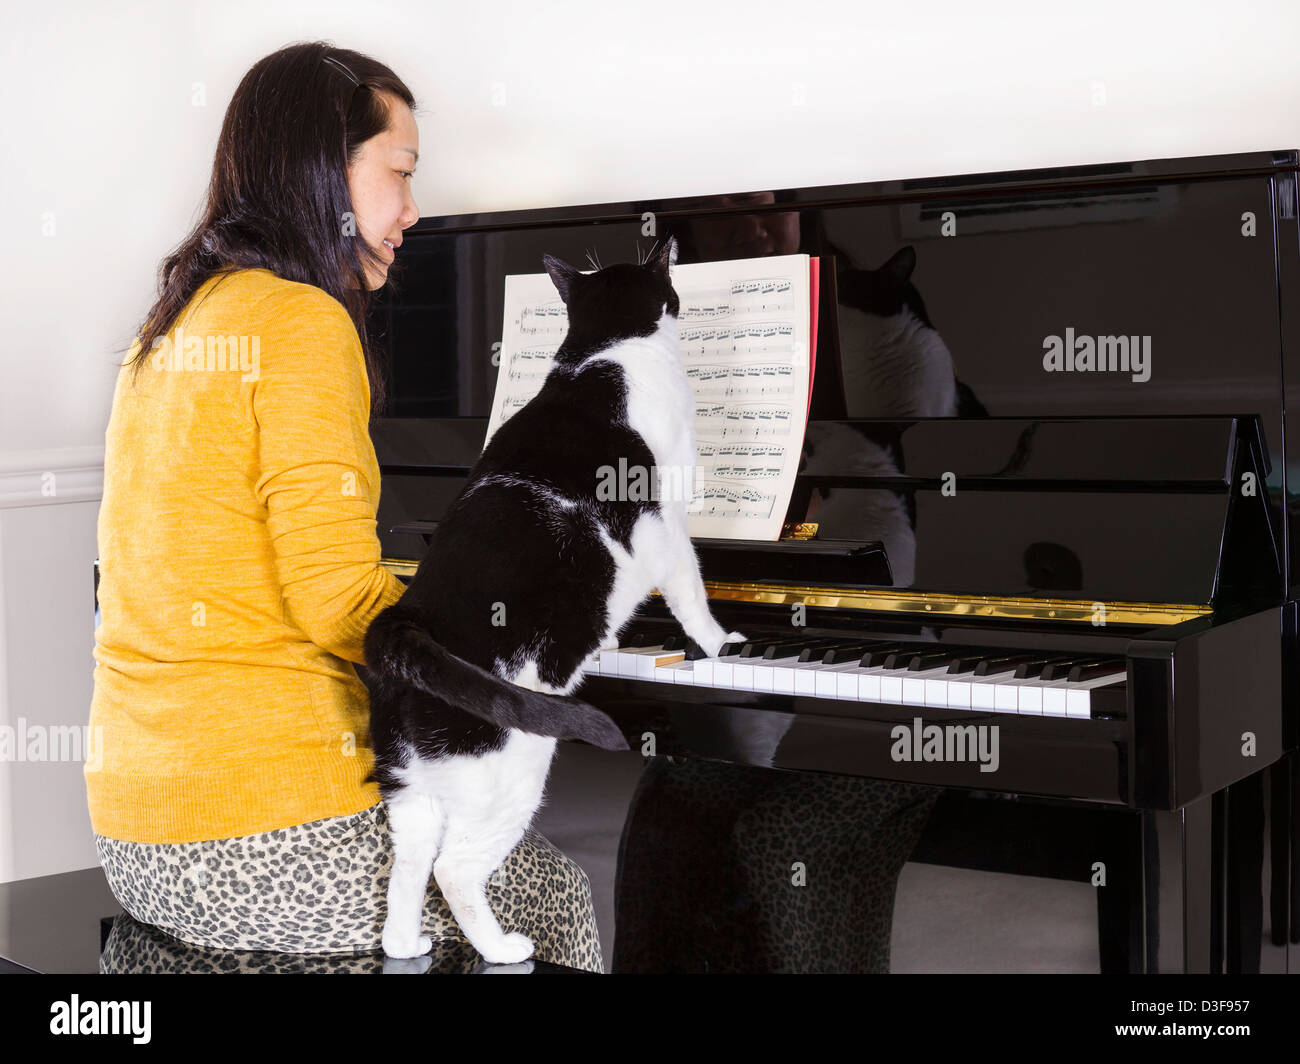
{"points": [[1041, 546]]}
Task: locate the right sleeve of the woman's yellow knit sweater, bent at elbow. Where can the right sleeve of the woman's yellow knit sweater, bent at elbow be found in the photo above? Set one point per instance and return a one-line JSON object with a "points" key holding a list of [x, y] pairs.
{"points": [[319, 478]]}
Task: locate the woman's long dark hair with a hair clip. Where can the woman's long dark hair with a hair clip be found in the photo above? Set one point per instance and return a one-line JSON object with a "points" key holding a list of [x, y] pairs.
{"points": [[279, 198]]}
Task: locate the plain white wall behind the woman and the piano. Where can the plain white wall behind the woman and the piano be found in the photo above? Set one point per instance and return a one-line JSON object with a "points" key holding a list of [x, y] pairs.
{"points": [[112, 113]]}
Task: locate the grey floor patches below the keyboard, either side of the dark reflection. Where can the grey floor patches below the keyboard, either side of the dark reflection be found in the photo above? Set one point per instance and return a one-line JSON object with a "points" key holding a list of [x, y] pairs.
{"points": [[946, 920]]}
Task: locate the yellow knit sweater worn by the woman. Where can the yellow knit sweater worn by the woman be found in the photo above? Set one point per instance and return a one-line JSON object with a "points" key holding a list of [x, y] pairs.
{"points": [[240, 569]]}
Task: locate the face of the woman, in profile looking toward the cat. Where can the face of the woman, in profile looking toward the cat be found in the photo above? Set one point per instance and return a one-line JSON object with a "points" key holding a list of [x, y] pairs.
{"points": [[380, 181]]}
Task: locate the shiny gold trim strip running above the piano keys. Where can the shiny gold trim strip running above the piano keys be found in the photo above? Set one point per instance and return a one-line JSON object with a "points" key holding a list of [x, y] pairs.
{"points": [[929, 603]]}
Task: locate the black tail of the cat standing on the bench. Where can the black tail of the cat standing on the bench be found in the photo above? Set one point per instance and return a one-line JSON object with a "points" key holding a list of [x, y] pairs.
{"points": [[400, 648]]}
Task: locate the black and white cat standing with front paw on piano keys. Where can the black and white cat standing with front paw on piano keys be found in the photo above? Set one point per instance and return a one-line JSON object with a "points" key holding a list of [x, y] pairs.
{"points": [[530, 572]]}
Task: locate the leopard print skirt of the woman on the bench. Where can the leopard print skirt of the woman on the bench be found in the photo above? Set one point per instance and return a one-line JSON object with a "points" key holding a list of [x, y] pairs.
{"points": [[322, 888]]}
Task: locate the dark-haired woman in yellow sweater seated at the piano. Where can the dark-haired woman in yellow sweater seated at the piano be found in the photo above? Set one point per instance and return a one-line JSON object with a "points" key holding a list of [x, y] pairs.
{"points": [[240, 566]]}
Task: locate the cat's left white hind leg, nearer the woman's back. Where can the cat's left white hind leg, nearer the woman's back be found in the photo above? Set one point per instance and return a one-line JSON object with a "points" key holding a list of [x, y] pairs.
{"points": [[417, 827]]}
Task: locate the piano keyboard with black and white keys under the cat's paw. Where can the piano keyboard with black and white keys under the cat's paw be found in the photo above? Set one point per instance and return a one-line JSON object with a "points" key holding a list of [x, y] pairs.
{"points": [[1037, 685]]}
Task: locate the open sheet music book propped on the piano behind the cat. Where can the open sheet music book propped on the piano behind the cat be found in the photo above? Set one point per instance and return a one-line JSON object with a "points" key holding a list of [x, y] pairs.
{"points": [[748, 340]]}
